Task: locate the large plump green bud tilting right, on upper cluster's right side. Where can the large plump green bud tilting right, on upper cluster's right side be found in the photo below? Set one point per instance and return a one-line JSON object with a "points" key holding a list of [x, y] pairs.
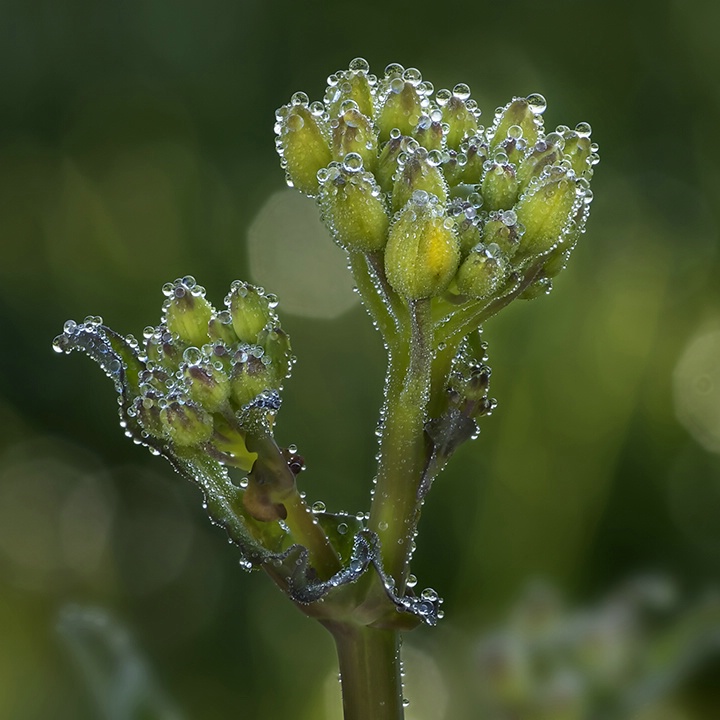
{"points": [[546, 210]]}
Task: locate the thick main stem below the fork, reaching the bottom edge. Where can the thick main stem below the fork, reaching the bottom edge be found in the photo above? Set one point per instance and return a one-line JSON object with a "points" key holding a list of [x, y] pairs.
{"points": [[369, 671]]}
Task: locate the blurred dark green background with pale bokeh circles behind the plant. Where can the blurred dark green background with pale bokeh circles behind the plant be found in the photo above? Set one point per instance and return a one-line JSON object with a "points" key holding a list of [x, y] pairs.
{"points": [[136, 145]]}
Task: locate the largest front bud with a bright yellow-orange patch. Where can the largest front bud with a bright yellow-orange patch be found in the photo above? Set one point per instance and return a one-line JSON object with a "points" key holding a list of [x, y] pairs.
{"points": [[423, 252]]}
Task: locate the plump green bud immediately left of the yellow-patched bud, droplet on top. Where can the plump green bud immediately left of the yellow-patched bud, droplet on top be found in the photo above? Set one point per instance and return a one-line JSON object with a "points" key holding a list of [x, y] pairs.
{"points": [[352, 206]]}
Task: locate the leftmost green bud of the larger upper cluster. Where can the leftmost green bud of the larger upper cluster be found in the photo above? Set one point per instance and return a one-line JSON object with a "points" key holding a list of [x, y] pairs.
{"points": [[302, 142]]}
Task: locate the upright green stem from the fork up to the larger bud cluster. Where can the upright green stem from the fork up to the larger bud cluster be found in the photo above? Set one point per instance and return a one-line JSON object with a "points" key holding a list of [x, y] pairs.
{"points": [[395, 507]]}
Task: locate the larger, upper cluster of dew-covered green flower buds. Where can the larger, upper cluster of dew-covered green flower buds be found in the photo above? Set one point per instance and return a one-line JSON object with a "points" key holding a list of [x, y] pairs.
{"points": [[401, 169]]}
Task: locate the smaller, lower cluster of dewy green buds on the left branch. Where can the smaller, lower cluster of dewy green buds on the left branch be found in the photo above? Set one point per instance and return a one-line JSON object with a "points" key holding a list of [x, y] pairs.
{"points": [[202, 376]]}
